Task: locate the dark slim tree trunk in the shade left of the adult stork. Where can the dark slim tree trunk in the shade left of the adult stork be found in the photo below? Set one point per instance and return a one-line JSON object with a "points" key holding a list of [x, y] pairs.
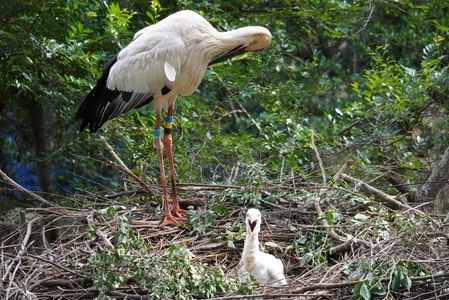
{"points": [[37, 125]]}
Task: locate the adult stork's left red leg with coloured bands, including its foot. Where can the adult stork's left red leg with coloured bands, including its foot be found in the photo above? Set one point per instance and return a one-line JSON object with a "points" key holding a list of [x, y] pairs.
{"points": [[168, 217]]}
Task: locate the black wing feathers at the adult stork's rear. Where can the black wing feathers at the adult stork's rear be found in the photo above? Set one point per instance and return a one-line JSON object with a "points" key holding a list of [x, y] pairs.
{"points": [[103, 104]]}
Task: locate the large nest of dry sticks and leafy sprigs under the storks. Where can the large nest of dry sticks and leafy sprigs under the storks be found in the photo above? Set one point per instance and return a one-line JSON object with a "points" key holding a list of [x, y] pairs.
{"points": [[335, 242]]}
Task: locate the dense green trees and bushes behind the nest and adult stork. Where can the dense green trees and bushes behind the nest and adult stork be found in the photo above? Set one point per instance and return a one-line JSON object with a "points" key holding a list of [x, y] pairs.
{"points": [[369, 77]]}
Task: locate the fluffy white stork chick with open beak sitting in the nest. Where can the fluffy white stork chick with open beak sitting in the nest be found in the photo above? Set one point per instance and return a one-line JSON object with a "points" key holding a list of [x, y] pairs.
{"points": [[266, 269]]}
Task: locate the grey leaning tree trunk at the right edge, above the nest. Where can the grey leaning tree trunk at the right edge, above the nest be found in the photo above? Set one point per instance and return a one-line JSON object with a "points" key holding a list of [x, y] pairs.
{"points": [[438, 179]]}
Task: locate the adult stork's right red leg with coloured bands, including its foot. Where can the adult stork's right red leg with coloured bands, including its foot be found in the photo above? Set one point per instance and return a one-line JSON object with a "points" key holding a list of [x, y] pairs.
{"points": [[176, 210]]}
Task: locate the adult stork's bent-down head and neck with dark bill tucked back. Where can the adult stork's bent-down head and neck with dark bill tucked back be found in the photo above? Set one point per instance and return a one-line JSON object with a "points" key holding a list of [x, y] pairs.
{"points": [[245, 39]]}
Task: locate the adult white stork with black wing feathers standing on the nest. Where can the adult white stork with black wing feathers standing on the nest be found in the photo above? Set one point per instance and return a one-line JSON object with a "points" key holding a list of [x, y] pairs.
{"points": [[162, 62]]}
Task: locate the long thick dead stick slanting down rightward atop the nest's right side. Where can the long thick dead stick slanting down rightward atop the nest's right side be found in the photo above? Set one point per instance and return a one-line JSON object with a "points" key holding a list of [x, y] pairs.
{"points": [[384, 196]]}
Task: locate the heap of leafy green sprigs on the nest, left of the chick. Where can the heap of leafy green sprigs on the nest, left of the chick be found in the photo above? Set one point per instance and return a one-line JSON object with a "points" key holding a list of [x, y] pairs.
{"points": [[169, 274]]}
